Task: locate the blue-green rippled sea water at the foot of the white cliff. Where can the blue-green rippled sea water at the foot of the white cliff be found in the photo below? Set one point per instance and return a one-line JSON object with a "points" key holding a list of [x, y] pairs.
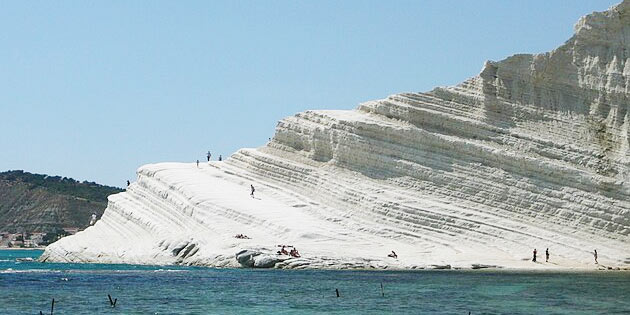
{"points": [[28, 287]]}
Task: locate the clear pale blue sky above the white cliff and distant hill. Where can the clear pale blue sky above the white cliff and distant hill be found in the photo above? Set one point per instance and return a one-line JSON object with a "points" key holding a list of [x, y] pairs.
{"points": [[94, 89]]}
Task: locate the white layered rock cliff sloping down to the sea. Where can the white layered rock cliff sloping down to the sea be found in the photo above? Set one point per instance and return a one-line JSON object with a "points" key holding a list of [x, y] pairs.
{"points": [[531, 153]]}
